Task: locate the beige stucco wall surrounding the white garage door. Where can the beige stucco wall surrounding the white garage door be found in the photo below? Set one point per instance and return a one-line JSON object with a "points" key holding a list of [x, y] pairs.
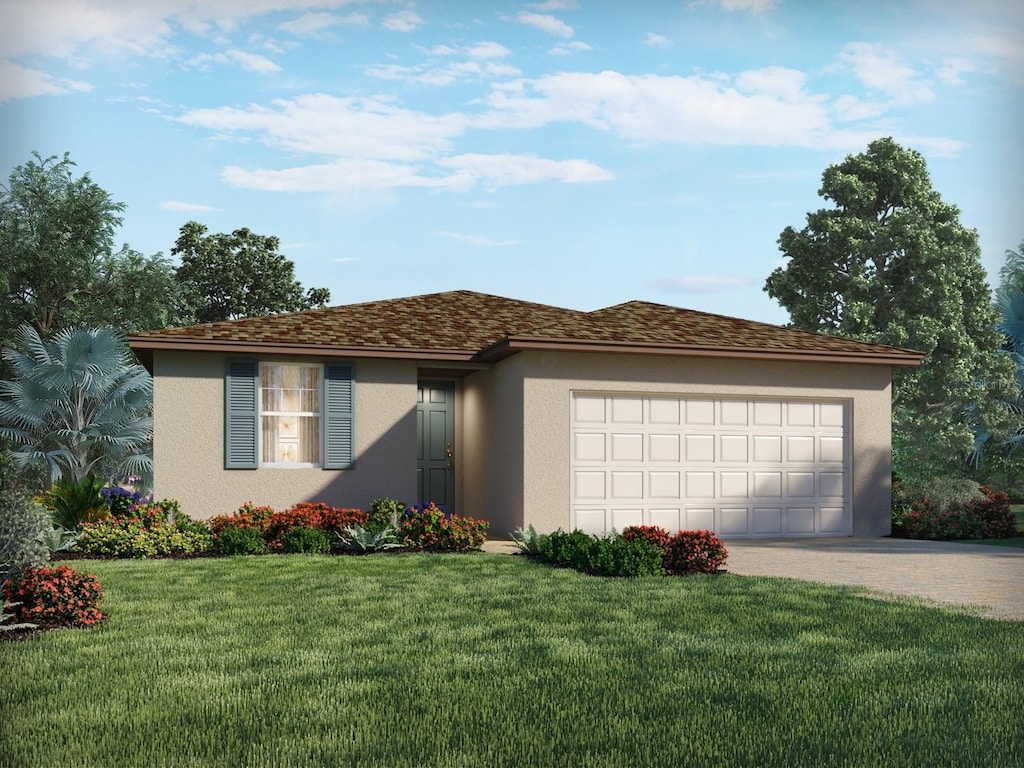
{"points": [[547, 380]]}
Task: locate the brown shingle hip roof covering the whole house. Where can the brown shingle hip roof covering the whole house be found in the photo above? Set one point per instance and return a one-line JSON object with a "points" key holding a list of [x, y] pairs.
{"points": [[468, 326]]}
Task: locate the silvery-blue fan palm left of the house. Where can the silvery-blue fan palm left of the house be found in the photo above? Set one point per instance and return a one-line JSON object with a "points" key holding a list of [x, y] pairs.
{"points": [[79, 406]]}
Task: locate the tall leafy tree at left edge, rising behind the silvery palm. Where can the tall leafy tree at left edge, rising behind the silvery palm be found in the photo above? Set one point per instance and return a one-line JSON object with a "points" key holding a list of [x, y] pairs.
{"points": [[58, 264]]}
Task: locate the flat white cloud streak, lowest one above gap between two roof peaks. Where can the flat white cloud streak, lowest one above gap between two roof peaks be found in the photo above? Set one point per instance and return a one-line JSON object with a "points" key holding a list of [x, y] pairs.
{"points": [[508, 170]]}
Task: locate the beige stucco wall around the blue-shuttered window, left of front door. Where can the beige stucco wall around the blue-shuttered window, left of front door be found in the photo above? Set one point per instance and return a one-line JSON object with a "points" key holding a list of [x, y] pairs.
{"points": [[189, 451]]}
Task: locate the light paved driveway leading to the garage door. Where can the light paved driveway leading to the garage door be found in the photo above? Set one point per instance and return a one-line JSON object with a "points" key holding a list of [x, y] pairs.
{"points": [[991, 580]]}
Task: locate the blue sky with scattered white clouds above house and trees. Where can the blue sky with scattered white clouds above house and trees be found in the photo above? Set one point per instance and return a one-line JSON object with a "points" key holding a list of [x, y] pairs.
{"points": [[569, 152]]}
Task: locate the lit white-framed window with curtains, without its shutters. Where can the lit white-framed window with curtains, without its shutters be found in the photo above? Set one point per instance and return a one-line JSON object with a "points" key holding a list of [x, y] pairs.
{"points": [[290, 414]]}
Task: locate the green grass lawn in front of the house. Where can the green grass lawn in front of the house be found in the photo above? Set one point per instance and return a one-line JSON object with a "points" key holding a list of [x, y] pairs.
{"points": [[496, 661]]}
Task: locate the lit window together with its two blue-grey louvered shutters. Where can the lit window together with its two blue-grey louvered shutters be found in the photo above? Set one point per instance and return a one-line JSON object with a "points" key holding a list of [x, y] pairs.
{"points": [[286, 414]]}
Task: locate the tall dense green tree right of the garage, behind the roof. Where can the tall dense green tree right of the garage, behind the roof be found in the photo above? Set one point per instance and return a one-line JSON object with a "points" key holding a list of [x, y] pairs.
{"points": [[891, 264]]}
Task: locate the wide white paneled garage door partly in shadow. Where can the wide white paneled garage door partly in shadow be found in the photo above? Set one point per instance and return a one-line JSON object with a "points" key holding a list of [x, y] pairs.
{"points": [[743, 468]]}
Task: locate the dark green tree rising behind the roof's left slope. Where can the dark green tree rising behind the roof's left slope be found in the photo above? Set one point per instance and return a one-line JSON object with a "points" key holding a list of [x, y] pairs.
{"points": [[242, 275]]}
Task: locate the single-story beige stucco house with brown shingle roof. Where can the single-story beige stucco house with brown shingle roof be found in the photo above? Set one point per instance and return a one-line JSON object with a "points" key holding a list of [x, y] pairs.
{"points": [[526, 414]]}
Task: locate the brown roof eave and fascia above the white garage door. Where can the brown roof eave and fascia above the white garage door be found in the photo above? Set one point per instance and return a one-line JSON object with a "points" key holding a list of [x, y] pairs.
{"points": [[511, 346]]}
